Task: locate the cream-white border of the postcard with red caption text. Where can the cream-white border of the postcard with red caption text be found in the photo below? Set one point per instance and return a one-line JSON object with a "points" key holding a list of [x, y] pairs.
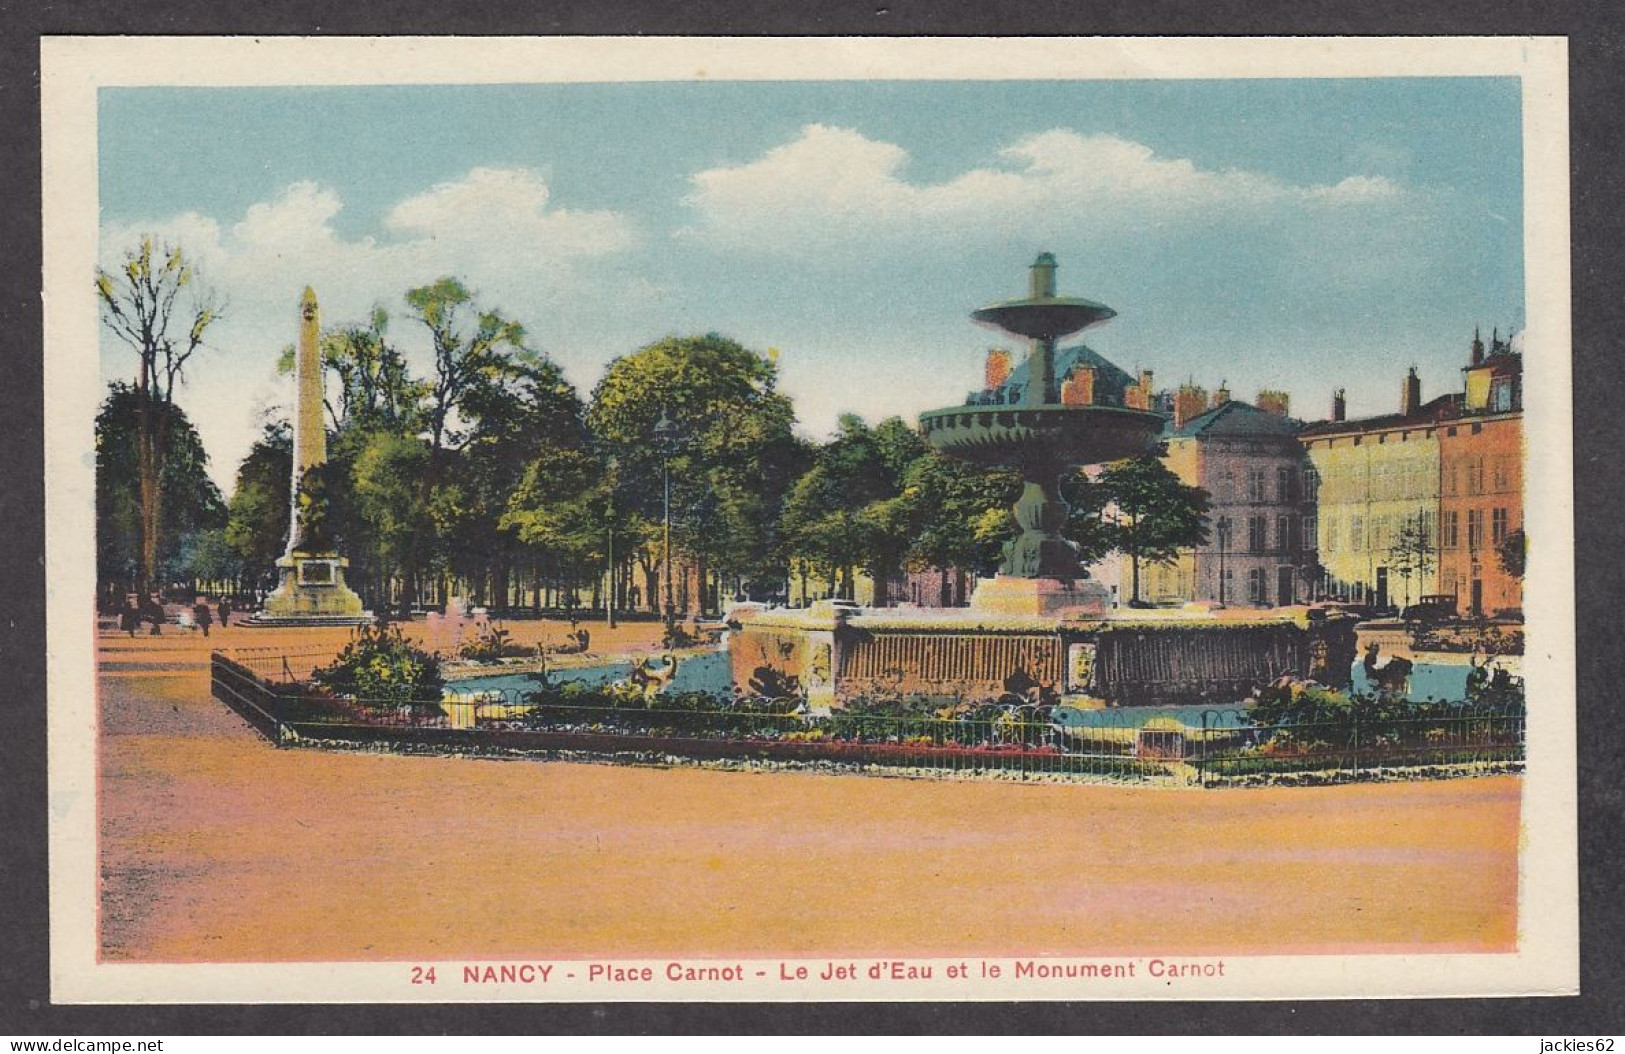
{"points": [[74, 69]]}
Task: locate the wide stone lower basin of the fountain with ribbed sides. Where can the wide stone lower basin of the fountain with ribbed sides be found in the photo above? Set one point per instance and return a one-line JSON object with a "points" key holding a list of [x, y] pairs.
{"points": [[834, 654]]}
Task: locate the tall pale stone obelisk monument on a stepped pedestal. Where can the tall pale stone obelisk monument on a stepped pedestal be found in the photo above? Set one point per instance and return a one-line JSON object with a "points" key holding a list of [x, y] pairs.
{"points": [[311, 589]]}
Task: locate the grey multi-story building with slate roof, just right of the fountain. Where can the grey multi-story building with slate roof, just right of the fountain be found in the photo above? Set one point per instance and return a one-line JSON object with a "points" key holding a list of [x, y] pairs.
{"points": [[1262, 527]]}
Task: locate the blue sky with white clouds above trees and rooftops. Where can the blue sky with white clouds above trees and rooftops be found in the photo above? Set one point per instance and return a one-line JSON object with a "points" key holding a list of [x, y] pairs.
{"points": [[1299, 235]]}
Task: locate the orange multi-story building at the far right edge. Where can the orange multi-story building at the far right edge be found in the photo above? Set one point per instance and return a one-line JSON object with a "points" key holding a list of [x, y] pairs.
{"points": [[1481, 485]]}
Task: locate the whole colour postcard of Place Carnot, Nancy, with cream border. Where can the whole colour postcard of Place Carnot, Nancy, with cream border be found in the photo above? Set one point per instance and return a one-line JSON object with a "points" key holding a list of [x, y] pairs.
{"points": [[609, 519]]}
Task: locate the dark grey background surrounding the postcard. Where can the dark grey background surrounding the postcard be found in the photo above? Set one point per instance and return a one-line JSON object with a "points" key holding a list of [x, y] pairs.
{"points": [[1597, 32]]}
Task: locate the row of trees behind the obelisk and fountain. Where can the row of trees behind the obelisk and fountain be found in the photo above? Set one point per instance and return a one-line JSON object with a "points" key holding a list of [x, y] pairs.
{"points": [[488, 473]]}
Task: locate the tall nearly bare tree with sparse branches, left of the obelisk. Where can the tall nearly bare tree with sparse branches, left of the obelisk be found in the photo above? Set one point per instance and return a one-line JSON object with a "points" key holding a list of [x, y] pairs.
{"points": [[158, 306]]}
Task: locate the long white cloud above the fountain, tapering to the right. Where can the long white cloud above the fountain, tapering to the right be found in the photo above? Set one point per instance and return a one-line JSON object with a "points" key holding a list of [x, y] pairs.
{"points": [[834, 186]]}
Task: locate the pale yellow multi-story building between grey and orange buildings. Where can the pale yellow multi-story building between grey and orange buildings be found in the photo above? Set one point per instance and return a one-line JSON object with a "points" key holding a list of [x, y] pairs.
{"points": [[1379, 491]]}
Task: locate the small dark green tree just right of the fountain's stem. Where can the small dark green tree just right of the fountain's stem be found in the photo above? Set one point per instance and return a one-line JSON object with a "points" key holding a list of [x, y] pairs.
{"points": [[1156, 516]]}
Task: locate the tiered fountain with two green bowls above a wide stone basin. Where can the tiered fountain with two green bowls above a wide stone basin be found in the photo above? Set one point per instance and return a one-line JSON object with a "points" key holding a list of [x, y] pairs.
{"points": [[1039, 626]]}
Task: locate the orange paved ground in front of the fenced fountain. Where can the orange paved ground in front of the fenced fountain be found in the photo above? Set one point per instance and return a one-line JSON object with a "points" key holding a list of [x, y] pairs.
{"points": [[217, 847]]}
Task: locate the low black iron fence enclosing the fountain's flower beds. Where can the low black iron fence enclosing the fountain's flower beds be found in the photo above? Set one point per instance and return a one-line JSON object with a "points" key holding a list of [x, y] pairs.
{"points": [[1210, 748]]}
